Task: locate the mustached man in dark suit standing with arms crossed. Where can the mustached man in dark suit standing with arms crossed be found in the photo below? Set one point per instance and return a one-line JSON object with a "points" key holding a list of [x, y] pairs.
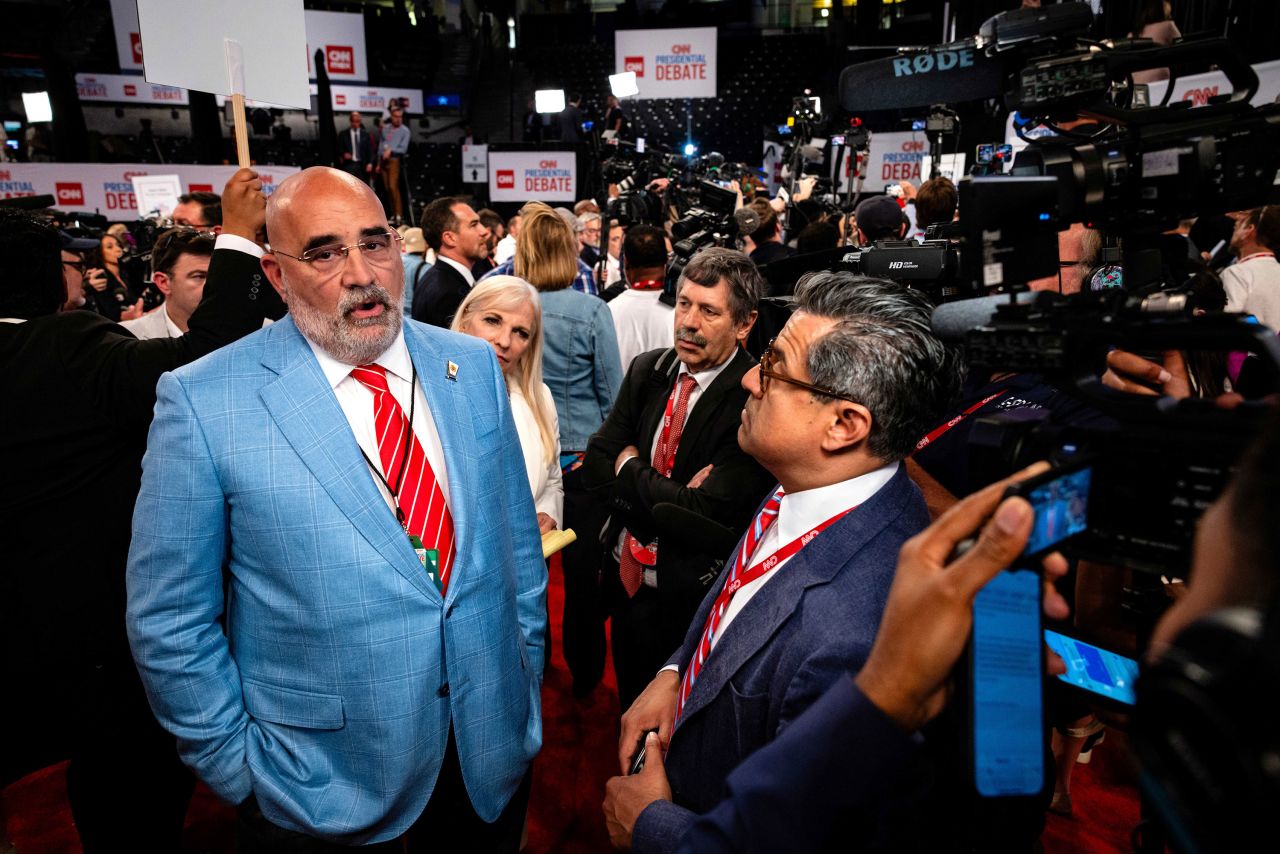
{"points": [[673, 439]]}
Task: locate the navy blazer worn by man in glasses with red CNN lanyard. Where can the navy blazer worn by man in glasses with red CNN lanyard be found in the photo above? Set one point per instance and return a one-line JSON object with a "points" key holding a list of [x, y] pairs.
{"points": [[815, 622]]}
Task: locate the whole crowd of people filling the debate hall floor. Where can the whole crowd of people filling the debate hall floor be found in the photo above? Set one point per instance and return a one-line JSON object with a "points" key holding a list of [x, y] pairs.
{"points": [[284, 533]]}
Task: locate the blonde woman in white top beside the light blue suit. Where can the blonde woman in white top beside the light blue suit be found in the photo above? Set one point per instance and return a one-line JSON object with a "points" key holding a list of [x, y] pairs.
{"points": [[506, 312]]}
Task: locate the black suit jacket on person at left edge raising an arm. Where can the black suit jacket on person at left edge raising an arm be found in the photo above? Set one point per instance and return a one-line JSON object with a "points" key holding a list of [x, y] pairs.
{"points": [[79, 396]]}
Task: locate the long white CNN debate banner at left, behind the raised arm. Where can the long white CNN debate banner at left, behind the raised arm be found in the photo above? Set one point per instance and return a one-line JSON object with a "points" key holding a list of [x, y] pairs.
{"points": [[108, 188]]}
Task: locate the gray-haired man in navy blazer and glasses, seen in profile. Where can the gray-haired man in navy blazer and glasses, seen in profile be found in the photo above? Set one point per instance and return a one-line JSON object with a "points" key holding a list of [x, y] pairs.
{"points": [[839, 400]]}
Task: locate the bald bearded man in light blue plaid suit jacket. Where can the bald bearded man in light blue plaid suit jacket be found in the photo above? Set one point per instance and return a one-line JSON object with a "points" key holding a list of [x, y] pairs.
{"points": [[287, 631]]}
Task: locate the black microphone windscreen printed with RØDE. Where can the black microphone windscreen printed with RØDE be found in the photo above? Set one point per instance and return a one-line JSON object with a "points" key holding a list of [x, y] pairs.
{"points": [[945, 75]]}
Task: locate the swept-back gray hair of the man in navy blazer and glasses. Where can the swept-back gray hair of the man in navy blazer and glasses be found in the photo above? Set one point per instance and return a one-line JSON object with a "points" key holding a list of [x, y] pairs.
{"points": [[884, 354]]}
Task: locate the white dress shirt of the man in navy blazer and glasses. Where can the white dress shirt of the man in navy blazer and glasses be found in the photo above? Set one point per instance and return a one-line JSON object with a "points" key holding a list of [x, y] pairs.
{"points": [[799, 514]]}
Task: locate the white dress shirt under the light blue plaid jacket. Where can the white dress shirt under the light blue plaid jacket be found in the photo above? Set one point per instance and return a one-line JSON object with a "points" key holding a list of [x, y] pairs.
{"points": [[358, 405]]}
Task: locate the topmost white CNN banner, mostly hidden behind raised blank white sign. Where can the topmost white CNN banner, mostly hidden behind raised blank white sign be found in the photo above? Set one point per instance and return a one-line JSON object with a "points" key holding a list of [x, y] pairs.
{"points": [[340, 35]]}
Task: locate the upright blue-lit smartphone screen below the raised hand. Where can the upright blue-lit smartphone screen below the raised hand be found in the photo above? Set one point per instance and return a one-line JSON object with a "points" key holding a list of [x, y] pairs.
{"points": [[1008, 687]]}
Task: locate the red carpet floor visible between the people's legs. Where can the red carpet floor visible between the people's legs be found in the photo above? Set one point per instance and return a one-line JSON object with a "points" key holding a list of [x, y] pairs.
{"points": [[579, 755]]}
